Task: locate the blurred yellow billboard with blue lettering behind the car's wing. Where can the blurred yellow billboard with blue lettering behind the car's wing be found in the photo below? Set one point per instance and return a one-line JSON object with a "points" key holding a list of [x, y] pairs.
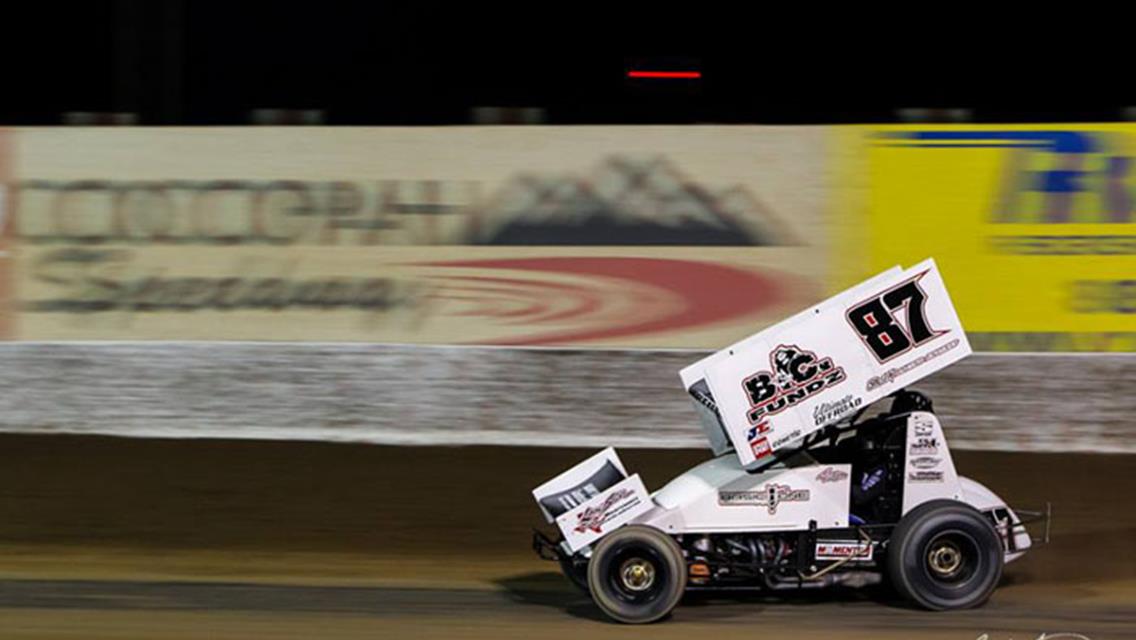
{"points": [[1034, 227]]}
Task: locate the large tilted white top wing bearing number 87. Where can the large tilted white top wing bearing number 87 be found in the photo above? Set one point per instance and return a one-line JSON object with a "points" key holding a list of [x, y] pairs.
{"points": [[781, 385]]}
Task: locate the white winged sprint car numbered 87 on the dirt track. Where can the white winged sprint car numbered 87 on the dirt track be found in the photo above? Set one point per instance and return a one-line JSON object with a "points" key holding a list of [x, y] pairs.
{"points": [[826, 471]]}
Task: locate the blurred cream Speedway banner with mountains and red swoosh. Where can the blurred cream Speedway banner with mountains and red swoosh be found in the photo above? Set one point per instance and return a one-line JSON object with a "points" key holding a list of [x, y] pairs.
{"points": [[631, 237]]}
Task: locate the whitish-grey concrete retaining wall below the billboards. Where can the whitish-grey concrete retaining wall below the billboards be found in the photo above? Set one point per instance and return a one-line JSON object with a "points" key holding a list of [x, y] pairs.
{"points": [[406, 395]]}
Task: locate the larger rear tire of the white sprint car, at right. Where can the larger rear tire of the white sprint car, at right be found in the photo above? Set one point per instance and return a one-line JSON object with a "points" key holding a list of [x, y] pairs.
{"points": [[945, 555]]}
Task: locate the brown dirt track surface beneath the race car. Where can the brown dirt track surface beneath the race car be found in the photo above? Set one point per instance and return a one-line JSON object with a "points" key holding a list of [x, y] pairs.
{"points": [[110, 538]]}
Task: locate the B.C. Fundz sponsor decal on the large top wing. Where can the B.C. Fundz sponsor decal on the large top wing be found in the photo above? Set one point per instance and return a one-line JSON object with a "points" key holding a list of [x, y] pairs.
{"points": [[796, 375]]}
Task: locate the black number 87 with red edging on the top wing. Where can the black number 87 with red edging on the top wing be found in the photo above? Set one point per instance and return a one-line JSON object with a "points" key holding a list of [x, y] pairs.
{"points": [[875, 322]]}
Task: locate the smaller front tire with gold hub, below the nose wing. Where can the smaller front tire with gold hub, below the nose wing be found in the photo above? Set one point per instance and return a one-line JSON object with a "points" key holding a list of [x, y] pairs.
{"points": [[637, 575]]}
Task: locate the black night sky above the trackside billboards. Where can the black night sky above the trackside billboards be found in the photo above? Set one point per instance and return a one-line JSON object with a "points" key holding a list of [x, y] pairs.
{"points": [[201, 63]]}
